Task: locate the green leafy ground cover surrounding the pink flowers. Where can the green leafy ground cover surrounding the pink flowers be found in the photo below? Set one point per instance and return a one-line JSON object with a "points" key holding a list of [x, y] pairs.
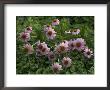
{"points": [[29, 64]]}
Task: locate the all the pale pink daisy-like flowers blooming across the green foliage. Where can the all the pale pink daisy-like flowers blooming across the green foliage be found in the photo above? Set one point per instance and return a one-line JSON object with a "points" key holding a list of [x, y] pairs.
{"points": [[42, 48]]}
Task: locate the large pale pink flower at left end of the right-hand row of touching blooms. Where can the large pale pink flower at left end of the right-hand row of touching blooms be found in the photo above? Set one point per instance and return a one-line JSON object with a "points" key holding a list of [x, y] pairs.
{"points": [[61, 48]]}
